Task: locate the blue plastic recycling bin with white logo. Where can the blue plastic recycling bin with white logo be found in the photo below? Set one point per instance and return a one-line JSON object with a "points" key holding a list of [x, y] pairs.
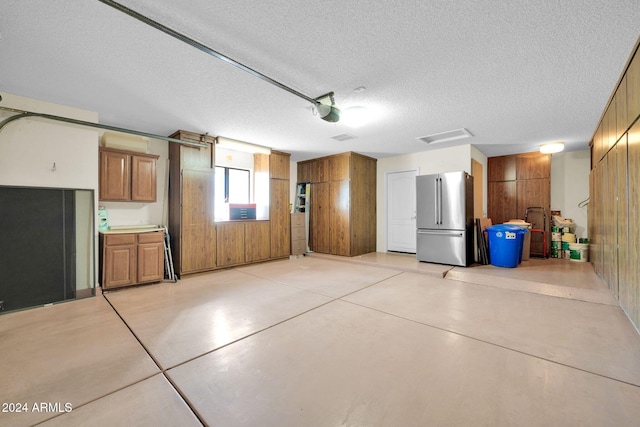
{"points": [[505, 245]]}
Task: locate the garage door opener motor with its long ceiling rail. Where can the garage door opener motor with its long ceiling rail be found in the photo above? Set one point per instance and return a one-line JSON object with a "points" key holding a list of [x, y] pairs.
{"points": [[331, 114]]}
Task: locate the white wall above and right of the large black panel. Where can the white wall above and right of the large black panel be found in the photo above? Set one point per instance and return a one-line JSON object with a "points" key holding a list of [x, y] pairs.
{"points": [[29, 149]]}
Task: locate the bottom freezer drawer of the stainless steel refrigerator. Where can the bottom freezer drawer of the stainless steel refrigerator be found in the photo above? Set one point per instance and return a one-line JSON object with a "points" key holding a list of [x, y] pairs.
{"points": [[443, 246]]}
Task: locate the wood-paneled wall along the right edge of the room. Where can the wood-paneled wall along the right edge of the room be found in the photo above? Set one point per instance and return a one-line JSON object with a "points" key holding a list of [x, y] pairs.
{"points": [[614, 226]]}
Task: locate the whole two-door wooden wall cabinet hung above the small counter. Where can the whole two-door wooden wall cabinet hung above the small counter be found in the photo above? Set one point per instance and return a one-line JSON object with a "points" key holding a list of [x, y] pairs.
{"points": [[127, 176]]}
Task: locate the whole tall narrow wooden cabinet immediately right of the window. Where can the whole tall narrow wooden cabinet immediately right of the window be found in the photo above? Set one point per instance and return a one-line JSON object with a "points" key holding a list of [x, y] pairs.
{"points": [[279, 196]]}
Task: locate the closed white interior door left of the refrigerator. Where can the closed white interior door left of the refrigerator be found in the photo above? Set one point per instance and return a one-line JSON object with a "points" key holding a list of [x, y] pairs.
{"points": [[401, 211]]}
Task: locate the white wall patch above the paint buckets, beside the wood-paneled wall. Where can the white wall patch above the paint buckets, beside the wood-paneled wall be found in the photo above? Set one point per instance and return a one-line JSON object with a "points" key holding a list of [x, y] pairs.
{"points": [[570, 186]]}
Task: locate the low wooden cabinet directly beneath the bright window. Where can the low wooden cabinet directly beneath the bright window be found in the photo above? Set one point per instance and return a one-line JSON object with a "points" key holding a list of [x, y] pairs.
{"points": [[242, 242]]}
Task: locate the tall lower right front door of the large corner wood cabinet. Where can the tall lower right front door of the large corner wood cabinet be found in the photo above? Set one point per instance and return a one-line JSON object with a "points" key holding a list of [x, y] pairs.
{"points": [[339, 217]]}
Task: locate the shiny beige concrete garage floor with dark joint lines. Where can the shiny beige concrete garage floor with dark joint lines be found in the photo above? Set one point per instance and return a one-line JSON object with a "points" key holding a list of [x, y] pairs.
{"points": [[322, 341]]}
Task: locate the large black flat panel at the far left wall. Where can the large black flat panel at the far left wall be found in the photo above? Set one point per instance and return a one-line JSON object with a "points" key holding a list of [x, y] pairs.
{"points": [[37, 246]]}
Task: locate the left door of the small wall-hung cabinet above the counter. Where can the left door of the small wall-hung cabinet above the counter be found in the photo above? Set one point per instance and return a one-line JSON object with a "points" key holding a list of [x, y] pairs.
{"points": [[115, 180]]}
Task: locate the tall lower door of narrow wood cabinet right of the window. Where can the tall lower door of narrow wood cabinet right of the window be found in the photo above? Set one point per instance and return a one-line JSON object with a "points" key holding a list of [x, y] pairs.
{"points": [[279, 218]]}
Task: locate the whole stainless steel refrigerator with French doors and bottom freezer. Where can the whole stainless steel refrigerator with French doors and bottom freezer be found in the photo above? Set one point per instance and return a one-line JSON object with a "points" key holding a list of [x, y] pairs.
{"points": [[445, 218]]}
